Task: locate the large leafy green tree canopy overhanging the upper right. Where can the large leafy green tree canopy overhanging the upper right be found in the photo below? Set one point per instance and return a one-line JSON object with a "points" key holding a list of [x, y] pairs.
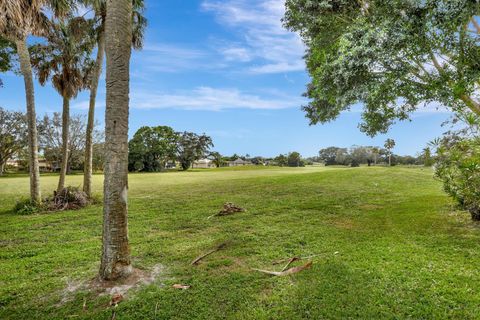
{"points": [[392, 56]]}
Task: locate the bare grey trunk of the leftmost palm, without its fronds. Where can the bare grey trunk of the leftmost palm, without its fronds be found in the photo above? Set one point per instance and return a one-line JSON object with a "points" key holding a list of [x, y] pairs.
{"points": [[26, 69]]}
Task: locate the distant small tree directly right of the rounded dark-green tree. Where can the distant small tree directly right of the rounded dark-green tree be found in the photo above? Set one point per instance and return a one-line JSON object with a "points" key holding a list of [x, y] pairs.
{"points": [[192, 147]]}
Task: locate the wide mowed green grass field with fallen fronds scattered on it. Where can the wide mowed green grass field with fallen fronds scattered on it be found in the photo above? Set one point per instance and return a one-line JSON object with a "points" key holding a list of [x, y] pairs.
{"points": [[388, 244]]}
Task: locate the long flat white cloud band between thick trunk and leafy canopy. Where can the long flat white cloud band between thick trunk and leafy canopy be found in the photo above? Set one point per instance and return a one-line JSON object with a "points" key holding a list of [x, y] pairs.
{"points": [[207, 98]]}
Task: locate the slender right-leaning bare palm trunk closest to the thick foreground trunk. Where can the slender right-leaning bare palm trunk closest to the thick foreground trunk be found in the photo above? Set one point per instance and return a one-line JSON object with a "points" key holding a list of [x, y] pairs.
{"points": [[87, 176]]}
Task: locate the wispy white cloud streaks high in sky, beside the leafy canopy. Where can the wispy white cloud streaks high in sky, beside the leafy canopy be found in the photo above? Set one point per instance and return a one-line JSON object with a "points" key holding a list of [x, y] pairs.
{"points": [[259, 23]]}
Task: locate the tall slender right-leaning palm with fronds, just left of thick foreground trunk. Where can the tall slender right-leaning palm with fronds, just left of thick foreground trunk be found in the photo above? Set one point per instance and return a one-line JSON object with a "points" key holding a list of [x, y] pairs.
{"points": [[138, 24]]}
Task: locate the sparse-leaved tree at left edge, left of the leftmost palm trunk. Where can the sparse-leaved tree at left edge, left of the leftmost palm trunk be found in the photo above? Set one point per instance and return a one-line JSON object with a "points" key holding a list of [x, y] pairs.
{"points": [[13, 135]]}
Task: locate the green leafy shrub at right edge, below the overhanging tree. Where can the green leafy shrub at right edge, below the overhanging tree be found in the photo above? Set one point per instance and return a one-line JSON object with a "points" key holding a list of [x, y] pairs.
{"points": [[458, 167]]}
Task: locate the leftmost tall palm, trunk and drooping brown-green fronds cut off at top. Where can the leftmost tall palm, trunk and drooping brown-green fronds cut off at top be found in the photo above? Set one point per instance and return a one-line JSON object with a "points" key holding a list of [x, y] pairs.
{"points": [[19, 19]]}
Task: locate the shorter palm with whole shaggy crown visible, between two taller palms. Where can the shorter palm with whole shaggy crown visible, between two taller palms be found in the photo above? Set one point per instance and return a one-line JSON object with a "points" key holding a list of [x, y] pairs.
{"points": [[65, 60]]}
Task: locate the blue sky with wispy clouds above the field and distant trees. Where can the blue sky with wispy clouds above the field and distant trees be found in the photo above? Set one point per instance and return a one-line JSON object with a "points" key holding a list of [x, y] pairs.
{"points": [[228, 69]]}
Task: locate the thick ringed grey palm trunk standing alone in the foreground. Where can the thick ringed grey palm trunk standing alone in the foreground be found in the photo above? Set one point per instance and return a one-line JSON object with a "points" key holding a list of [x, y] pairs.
{"points": [[115, 262]]}
